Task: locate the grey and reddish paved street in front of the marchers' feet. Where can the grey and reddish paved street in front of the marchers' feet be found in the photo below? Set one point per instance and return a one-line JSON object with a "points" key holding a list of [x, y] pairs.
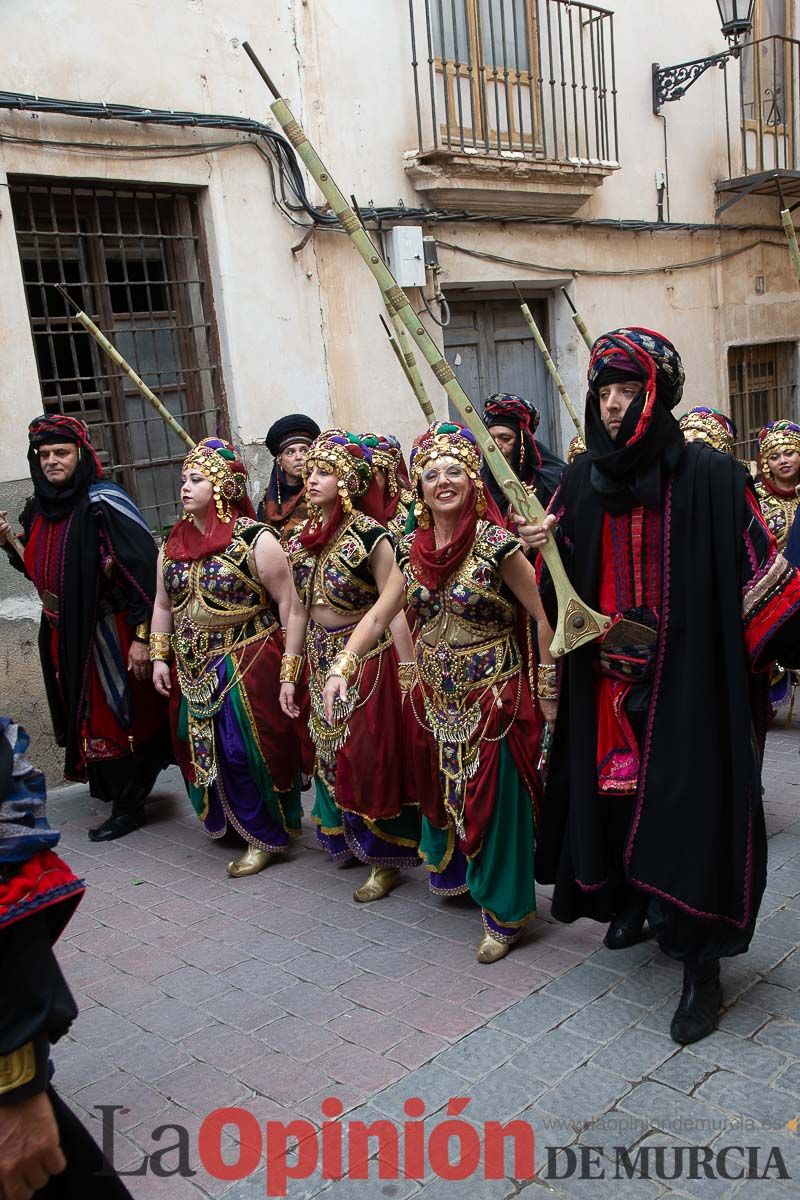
{"points": [[197, 992]]}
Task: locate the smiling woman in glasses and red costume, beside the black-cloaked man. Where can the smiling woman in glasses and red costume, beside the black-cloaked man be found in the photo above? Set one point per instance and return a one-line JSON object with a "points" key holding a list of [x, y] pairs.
{"points": [[477, 731]]}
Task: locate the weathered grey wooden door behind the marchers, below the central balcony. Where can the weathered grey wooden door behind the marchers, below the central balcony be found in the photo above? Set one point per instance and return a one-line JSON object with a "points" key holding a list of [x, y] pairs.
{"points": [[491, 349]]}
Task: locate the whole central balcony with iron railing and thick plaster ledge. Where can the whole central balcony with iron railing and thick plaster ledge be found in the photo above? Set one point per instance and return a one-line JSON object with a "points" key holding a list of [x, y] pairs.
{"points": [[516, 105]]}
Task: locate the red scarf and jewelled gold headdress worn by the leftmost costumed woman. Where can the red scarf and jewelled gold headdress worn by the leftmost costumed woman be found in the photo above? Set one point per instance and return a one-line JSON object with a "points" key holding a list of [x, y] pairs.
{"points": [[219, 463]]}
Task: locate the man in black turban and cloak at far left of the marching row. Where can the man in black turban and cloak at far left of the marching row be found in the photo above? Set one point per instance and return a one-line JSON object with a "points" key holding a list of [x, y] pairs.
{"points": [[93, 561]]}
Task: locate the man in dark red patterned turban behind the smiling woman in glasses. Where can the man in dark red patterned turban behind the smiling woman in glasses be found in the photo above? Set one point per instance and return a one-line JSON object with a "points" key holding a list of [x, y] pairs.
{"points": [[513, 422]]}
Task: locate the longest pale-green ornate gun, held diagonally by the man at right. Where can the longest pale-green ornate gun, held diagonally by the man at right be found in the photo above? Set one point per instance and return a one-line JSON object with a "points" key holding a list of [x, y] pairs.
{"points": [[578, 623]]}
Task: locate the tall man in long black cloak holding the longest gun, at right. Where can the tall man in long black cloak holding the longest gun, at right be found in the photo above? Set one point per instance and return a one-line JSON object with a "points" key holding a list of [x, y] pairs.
{"points": [[653, 808]]}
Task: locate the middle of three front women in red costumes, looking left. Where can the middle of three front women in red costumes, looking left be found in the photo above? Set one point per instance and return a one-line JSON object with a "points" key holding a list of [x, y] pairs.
{"points": [[342, 562]]}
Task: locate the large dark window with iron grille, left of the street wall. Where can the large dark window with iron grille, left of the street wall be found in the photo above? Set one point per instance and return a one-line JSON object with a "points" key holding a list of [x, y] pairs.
{"points": [[135, 261]]}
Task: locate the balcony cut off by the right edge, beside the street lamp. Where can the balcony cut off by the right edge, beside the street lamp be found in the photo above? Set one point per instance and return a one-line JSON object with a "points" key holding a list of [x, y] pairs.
{"points": [[762, 122]]}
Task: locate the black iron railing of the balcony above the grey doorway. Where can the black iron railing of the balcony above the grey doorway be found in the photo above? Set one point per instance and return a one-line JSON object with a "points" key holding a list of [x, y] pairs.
{"points": [[521, 80]]}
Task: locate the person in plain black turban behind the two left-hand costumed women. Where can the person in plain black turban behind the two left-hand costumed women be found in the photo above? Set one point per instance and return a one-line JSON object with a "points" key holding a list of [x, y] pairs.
{"points": [[285, 502]]}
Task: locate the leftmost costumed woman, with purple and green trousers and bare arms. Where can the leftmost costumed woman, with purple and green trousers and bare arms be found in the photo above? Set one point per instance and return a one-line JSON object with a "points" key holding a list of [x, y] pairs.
{"points": [[225, 590]]}
